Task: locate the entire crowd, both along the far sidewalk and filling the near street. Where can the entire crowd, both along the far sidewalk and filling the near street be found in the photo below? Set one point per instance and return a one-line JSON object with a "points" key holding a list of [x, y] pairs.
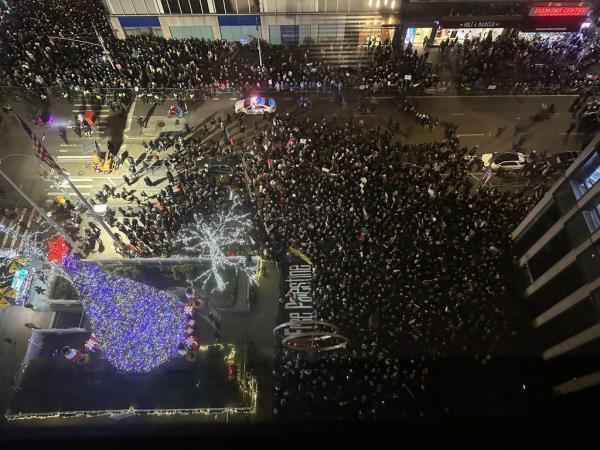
{"points": [[412, 258]]}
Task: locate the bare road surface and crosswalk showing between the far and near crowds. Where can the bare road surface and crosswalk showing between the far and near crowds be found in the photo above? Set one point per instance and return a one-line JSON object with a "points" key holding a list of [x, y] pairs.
{"points": [[477, 117]]}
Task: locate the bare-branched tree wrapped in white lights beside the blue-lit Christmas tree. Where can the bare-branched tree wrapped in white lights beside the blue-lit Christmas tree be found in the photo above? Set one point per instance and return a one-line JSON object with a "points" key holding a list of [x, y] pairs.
{"points": [[212, 239]]}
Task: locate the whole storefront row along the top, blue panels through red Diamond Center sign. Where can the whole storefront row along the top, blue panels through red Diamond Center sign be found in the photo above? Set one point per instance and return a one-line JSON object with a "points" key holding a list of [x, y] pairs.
{"points": [[353, 22]]}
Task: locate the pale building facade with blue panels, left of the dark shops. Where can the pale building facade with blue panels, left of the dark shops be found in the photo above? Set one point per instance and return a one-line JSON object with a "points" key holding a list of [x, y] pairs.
{"points": [[275, 21]]}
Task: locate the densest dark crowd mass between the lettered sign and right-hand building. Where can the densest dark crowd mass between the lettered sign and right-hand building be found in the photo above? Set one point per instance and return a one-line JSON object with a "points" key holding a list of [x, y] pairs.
{"points": [[414, 244]]}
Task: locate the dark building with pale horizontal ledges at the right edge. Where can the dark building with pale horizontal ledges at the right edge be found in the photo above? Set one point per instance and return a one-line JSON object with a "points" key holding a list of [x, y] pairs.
{"points": [[558, 249]]}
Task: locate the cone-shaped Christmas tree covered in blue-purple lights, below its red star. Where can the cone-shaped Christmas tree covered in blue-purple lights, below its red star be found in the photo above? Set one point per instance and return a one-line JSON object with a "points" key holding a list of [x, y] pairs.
{"points": [[137, 326]]}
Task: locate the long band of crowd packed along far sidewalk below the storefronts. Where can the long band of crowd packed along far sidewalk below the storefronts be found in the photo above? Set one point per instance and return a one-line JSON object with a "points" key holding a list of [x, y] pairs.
{"points": [[37, 57]]}
